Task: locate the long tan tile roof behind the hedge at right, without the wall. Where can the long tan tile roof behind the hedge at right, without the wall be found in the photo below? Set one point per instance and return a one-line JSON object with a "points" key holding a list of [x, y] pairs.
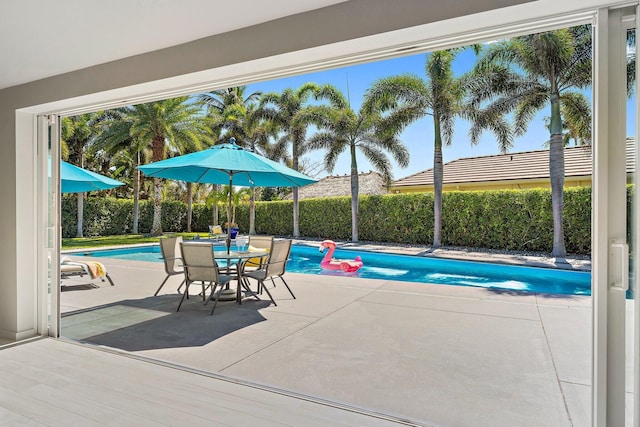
{"points": [[512, 166]]}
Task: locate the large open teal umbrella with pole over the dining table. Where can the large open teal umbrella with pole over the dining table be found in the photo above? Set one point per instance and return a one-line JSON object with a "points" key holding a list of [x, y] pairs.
{"points": [[227, 163]]}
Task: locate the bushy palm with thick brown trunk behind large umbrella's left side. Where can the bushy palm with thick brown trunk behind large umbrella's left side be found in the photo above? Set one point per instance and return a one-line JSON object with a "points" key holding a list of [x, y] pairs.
{"points": [[173, 126]]}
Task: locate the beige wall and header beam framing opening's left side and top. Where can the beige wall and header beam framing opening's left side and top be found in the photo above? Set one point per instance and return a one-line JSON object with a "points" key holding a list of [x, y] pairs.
{"points": [[325, 36]]}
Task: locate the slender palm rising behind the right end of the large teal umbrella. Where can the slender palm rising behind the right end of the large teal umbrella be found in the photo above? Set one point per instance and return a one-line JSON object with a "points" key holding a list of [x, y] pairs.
{"points": [[282, 110]]}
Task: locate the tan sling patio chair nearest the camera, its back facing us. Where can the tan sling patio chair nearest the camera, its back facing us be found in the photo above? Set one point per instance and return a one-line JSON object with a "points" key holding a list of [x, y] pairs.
{"points": [[200, 266]]}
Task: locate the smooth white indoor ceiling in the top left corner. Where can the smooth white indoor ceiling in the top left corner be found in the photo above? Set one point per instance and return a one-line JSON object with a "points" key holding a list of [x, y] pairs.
{"points": [[42, 39]]}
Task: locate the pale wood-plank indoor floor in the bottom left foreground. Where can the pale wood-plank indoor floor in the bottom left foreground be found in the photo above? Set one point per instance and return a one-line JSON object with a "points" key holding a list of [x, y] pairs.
{"points": [[57, 383]]}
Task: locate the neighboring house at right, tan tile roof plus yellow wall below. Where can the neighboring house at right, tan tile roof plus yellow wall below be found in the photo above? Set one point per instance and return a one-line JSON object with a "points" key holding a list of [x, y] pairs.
{"points": [[512, 171]]}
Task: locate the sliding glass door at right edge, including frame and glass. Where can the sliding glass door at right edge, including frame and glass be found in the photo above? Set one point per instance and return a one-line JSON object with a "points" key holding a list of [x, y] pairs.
{"points": [[615, 221]]}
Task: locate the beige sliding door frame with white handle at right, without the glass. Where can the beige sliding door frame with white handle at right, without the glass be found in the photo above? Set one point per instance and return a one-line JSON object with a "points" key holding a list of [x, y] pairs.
{"points": [[610, 253]]}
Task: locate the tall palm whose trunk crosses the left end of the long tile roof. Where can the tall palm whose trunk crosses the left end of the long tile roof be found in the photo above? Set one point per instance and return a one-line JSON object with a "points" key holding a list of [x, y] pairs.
{"points": [[440, 95]]}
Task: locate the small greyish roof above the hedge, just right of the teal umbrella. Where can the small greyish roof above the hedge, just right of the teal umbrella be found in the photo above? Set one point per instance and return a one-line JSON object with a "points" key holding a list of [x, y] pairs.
{"points": [[370, 183]]}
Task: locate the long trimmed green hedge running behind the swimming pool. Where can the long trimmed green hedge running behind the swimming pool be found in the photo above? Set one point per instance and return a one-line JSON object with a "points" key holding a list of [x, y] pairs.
{"points": [[511, 219]]}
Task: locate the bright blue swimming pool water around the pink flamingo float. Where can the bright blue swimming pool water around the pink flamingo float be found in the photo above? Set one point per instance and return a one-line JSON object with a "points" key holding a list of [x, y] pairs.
{"points": [[306, 259]]}
